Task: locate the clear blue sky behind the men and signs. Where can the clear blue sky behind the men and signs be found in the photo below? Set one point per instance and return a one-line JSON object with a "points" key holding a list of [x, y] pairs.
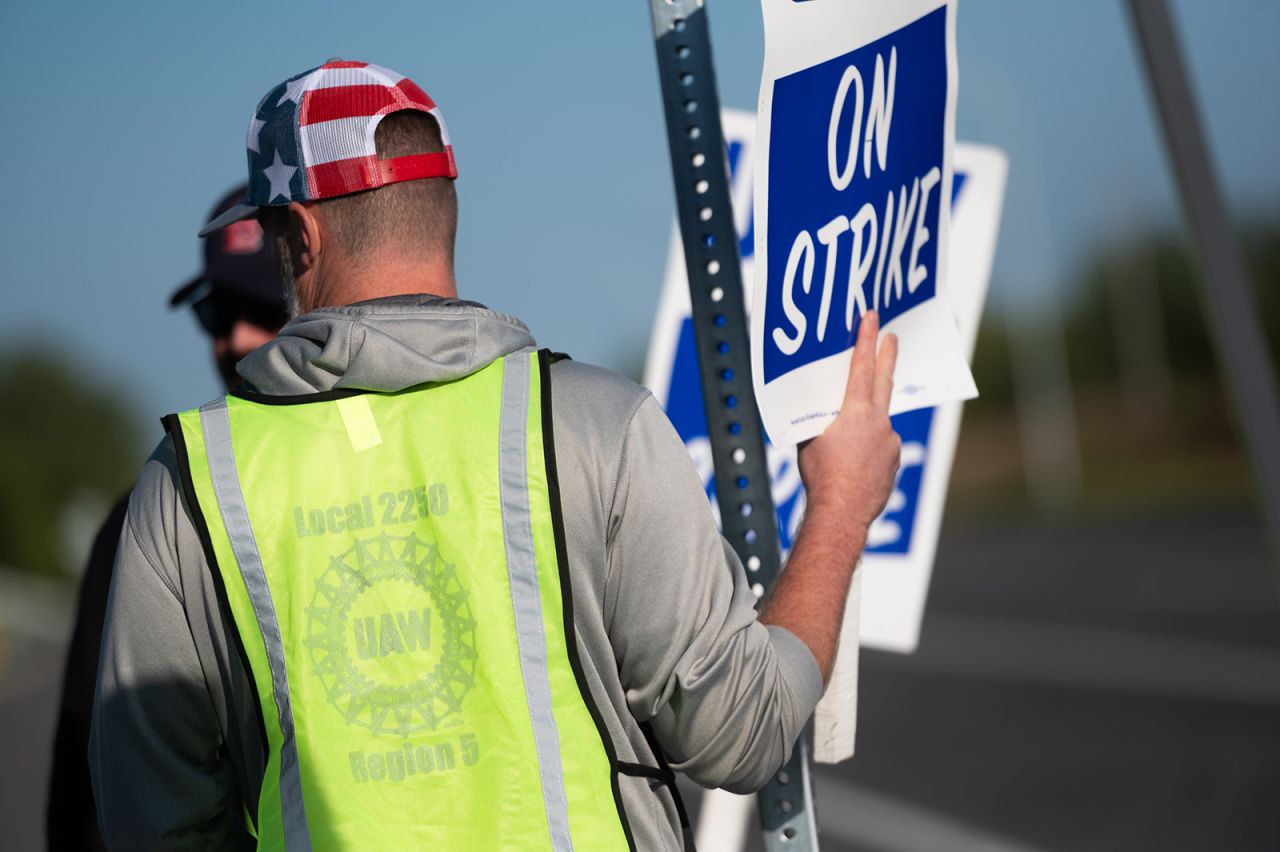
{"points": [[127, 121]]}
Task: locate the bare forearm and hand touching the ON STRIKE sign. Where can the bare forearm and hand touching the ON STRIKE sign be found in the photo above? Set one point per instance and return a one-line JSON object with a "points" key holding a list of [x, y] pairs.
{"points": [[849, 474]]}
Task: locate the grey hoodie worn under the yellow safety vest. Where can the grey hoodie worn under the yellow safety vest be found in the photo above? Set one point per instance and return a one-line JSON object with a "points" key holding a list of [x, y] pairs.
{"points": [[665, 616]]}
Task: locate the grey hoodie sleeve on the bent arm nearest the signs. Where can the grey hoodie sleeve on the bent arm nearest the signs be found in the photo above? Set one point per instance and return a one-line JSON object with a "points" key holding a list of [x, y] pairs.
{"points": [[726, 695]]}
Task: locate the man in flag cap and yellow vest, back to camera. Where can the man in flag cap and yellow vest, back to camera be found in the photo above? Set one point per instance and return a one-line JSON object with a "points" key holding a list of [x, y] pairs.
{"points": [[420, 585]]}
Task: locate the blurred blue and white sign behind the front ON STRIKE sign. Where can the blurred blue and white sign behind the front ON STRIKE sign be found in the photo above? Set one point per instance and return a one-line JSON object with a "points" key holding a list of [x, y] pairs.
{"points": [[904, 534]]}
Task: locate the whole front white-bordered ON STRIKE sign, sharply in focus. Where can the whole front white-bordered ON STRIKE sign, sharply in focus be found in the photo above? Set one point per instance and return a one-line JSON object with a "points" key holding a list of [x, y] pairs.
{"points": [[852, 200]]}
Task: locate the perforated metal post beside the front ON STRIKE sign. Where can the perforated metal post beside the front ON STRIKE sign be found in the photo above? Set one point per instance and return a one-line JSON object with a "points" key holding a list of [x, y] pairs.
{"points": [[706, 218]]}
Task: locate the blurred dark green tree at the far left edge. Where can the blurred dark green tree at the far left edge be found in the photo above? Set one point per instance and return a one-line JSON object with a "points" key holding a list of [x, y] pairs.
{"points": [[65, 439]]}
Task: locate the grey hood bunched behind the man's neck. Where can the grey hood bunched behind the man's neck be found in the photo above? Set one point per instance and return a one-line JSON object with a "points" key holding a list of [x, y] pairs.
{"points": [[383, 345]]}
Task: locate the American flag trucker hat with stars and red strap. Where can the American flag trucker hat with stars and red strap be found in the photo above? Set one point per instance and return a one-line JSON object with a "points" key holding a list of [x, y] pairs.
{"points": [[313, 138]]}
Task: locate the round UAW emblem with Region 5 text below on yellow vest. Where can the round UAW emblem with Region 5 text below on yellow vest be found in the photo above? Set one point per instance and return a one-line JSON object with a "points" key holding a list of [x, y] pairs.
{"points": [[392, 640]]}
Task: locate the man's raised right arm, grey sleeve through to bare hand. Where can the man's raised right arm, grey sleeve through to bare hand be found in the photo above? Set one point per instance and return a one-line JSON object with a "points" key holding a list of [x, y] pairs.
{"points": [[728, 694]]}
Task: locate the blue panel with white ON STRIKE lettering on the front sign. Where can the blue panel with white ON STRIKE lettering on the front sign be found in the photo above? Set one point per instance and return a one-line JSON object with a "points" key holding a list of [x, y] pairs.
{"points": [[854, 189]]}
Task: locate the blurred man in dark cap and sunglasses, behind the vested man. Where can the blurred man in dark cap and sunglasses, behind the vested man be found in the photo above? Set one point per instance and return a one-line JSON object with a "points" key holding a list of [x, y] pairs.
{"points": [[240, 304]]}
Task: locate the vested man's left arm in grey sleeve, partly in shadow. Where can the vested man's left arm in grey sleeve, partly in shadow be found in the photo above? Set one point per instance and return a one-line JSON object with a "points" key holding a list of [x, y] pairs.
{"points": [[157, 755]]}
